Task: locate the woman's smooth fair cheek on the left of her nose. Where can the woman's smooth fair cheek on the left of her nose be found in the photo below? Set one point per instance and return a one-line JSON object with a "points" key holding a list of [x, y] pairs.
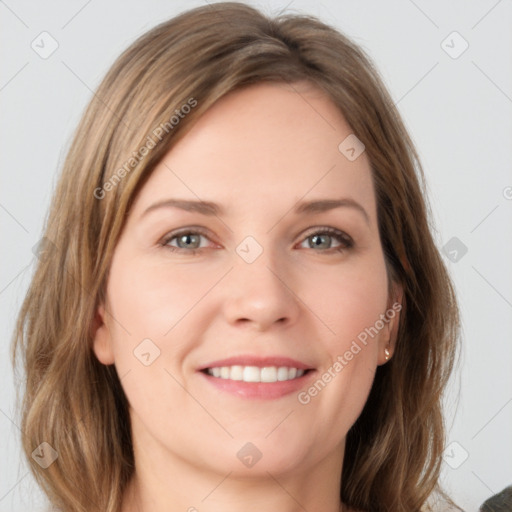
{"points": [[151, 307]]}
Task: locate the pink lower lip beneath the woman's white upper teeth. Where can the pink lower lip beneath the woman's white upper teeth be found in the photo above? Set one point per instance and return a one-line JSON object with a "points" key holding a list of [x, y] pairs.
{"points": [[263, 390]]}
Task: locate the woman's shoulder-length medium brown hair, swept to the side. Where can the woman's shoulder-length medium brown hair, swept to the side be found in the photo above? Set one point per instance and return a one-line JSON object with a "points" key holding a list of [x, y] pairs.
{"points": [[393, 452]]}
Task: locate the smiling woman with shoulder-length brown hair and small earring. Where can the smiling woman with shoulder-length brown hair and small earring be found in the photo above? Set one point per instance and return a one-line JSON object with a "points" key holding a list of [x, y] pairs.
{"points": [[239, 303]]}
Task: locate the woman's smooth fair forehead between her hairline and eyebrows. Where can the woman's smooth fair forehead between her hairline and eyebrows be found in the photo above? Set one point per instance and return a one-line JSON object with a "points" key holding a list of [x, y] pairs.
{"points": [[269, 143]]}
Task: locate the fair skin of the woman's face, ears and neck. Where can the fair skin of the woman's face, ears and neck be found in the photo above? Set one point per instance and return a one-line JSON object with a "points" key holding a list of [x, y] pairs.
{"points": [[256, 152]]}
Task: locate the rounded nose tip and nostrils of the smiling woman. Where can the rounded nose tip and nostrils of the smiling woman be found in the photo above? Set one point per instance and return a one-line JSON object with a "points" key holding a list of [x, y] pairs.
{"points": [[259, 295]]}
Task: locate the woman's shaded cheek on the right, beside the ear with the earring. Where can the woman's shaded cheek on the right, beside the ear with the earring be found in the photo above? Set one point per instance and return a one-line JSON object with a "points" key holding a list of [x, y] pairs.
{"points": [[351, 304]]}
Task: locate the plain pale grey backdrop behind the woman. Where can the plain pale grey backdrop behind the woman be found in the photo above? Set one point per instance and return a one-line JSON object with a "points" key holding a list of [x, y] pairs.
{"points": [[448, 66]]}
